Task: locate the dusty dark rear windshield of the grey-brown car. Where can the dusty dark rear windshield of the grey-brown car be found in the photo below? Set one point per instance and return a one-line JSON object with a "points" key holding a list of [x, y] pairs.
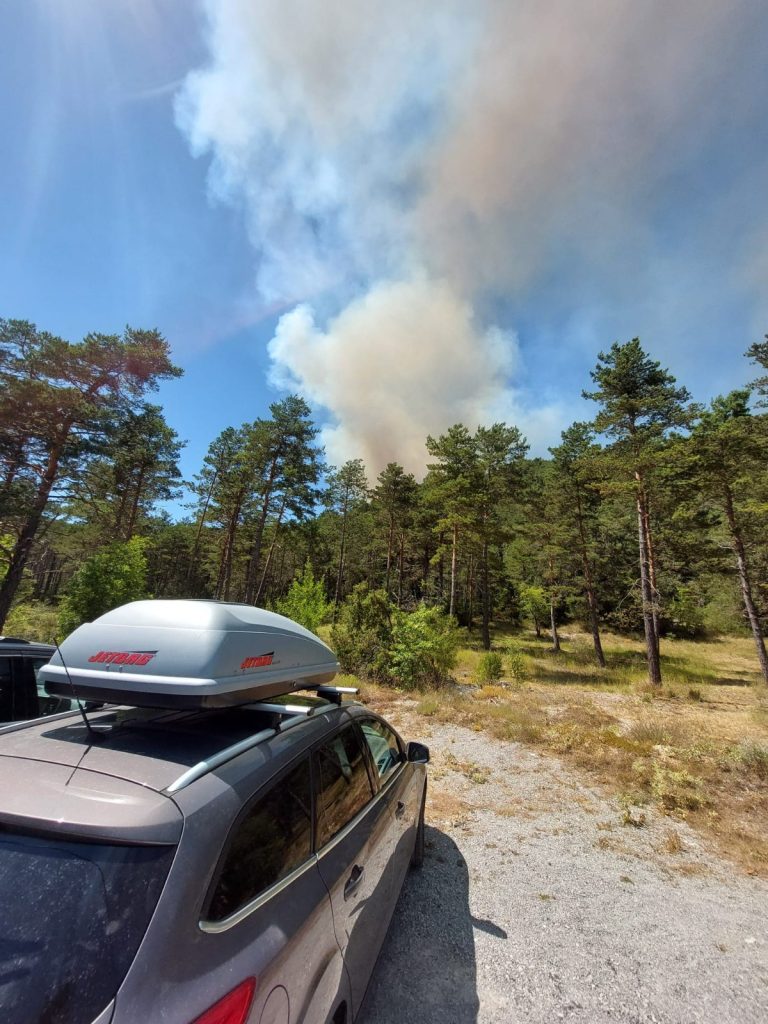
{"points": [[73, 916]]}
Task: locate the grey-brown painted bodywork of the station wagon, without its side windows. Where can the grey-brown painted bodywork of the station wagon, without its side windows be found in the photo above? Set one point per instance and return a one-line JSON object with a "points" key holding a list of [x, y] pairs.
{"points": [[302, 937]]}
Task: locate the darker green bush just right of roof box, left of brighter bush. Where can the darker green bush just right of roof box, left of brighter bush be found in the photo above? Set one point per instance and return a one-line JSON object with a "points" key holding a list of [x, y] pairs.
{"points": [[364, 632]]}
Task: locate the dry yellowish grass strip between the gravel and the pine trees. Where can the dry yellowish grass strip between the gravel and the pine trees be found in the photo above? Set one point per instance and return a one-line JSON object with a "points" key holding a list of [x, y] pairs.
{"points": [[698, 750]]}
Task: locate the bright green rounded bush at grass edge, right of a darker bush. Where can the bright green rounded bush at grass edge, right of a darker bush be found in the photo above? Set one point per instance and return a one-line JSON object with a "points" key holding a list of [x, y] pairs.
{"points": [[424, 648]]}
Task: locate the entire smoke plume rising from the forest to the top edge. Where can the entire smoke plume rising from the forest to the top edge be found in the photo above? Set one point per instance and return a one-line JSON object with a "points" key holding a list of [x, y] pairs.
{"points": [[403, 165]]}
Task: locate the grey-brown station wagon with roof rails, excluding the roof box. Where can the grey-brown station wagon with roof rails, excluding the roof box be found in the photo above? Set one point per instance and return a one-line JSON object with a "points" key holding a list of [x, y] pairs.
{"points": [[202, 867]]}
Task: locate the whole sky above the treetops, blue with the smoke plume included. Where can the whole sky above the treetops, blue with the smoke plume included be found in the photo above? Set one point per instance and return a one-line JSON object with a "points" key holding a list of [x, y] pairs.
{"points": [[413, 216]]}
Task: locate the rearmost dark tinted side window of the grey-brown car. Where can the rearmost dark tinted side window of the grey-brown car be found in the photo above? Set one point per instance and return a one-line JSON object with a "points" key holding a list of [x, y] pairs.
{"points": [[273, 839]]}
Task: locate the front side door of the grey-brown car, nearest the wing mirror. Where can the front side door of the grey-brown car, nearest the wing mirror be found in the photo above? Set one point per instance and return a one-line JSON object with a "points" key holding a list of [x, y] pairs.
{"points": [[398, 787]]}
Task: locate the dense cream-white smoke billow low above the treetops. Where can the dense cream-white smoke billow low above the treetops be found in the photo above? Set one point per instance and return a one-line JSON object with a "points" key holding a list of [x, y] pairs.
{"points": [[397, 365]]}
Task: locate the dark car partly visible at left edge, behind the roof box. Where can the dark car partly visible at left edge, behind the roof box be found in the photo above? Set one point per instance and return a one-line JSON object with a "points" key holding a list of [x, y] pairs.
{"points": [[23, 696]]}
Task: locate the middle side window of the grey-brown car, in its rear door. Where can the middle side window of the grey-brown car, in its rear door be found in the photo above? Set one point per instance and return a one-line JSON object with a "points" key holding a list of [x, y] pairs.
{"points": [[344, 785]]}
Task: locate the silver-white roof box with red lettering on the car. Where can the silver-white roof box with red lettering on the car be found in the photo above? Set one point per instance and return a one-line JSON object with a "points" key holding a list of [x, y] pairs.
{"points": [[188, 655]]}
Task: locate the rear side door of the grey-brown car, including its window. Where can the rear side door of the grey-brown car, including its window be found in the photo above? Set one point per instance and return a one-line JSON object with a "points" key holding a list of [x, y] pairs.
{"points": [[354, 845]]}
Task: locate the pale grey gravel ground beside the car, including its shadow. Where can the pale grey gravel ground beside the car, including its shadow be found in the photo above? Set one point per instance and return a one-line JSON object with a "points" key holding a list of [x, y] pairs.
{"points": [[537, 905]]}
